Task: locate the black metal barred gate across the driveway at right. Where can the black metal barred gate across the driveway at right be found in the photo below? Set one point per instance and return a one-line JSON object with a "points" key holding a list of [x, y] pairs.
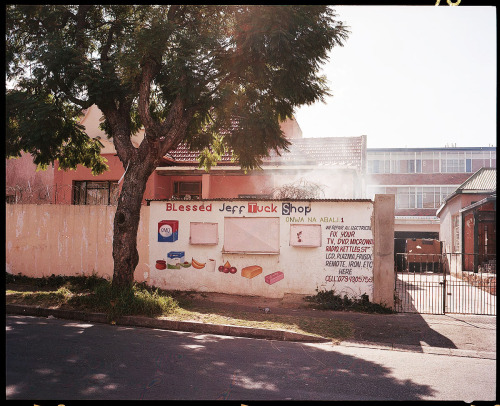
{"points": [[447, 283]]}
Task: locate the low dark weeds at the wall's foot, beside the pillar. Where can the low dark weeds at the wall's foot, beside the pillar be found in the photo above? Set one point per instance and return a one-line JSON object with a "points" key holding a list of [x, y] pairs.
{"points": [[329, 300]]}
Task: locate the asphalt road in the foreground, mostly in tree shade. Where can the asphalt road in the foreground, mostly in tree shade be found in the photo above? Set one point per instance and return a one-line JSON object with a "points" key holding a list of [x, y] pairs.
{"points": [[66, 360]]}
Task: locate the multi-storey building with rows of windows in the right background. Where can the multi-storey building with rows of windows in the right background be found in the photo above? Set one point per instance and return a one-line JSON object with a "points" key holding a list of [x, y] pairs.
{"points": [[421, 179]]}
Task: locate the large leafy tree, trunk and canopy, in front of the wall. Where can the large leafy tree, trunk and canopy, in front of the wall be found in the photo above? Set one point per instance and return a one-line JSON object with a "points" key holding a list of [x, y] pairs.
{"points": [[213, 77]]}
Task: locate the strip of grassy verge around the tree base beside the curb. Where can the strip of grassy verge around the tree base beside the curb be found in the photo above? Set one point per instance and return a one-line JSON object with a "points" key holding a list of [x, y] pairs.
{"points": [[95, 294]]}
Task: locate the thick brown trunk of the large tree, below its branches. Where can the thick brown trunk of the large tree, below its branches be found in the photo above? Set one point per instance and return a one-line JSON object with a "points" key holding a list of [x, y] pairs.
{"points": [[126, 223]]}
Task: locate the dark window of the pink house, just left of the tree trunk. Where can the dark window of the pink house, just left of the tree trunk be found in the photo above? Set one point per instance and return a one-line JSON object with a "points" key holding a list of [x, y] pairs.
{"points": [[95, 192]]}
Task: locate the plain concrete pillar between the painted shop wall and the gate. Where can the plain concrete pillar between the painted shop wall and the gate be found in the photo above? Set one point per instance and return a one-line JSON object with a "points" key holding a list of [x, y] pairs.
{"points": [[383, 261]]}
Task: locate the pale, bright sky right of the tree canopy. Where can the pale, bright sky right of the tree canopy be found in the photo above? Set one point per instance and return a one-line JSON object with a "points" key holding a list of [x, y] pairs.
{"points": [[410, 76]]}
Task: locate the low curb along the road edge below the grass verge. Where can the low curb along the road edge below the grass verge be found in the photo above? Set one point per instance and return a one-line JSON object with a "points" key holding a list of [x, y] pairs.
{"points": [[190, 326]]}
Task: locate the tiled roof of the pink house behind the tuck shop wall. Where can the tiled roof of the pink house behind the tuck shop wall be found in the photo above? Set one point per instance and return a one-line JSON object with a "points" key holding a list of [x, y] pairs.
{"points": [[327, 151]]}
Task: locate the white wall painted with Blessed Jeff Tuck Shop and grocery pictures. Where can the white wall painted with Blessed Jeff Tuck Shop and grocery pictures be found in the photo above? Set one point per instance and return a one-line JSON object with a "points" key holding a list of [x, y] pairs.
{"points": [[266, 248]]}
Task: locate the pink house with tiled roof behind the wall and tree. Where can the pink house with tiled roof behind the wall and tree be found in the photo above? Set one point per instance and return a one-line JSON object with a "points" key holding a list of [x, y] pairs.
{"points": [[336, 164]]}
